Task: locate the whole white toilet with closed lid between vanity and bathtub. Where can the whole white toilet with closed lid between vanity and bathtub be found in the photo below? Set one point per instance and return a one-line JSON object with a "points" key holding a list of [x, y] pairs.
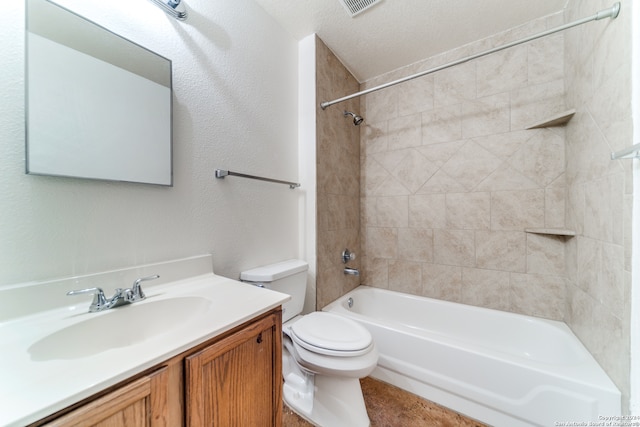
{"points": [[324, 354]]}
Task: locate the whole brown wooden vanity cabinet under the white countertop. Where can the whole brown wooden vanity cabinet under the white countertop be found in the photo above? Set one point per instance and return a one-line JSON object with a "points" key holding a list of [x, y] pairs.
{"points": [[234, 379]]}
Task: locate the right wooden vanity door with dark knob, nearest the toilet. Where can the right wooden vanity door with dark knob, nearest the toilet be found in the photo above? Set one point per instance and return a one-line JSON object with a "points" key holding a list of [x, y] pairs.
{"points": [[237, 381]]}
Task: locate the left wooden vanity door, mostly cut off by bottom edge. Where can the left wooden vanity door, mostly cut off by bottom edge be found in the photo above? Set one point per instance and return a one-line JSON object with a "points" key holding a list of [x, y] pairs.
{"points": [[141, 403]]}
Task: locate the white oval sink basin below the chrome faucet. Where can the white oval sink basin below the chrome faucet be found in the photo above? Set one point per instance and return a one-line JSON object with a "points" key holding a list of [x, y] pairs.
{"points": [[119, 327]]}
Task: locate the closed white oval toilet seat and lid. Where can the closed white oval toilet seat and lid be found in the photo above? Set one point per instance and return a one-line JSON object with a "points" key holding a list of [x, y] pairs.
{"points": [[330, 334]]}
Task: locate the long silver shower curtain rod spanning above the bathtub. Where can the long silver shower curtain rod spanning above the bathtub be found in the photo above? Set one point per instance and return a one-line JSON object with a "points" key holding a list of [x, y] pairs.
{"points": [[611, 12]]}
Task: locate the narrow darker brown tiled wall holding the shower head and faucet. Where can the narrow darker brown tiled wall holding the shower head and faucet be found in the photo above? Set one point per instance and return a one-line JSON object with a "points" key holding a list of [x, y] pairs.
{"points": [[338, 178]]}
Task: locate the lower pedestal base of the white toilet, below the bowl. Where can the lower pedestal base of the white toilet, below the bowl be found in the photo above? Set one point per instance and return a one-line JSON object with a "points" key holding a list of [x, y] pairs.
{"points": [[334, 401]]}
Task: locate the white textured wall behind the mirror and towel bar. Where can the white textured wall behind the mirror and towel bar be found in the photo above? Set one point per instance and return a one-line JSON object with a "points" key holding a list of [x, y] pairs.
{"points": [[235, 107]]}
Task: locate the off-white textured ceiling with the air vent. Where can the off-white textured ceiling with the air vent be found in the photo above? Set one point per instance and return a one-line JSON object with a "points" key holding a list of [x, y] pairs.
{"points": [[395, 33]]}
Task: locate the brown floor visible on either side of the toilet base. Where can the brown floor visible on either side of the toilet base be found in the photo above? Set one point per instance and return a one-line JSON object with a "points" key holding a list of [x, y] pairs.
{"points": [[389, 406]]}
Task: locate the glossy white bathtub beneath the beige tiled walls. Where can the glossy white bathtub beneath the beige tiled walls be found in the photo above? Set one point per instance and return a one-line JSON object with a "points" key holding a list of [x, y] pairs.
{"points": [[500, 368]]}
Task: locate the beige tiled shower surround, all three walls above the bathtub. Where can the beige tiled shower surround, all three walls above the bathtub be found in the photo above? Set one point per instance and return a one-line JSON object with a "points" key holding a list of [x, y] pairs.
{"points": [[450, 179]]}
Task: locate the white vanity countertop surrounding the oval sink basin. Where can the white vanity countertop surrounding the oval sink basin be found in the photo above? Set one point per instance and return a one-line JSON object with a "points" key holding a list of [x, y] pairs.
{"points": [[34, 385]]}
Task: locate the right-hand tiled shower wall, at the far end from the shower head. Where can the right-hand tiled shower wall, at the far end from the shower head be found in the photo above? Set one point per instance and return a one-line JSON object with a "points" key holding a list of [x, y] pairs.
{"points": [[598, 83]]}
